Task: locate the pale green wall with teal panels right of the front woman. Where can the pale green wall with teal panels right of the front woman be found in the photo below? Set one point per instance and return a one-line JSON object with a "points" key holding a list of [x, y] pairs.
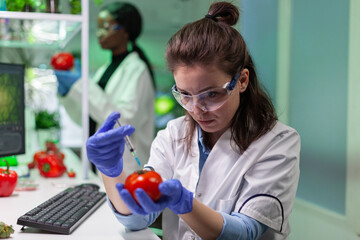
{"points": [[320, 71]]}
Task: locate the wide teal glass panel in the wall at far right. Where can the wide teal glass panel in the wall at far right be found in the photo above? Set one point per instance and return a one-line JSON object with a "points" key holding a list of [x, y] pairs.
{"points": [[318, 95]]}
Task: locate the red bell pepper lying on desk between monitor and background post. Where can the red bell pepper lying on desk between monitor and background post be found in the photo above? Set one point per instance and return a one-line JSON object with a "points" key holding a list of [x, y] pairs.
{"points": [[51, 165]]}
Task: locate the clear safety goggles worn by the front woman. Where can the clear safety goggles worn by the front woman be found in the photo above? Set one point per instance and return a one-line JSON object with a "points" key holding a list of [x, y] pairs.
{"points": [[209, 100]]}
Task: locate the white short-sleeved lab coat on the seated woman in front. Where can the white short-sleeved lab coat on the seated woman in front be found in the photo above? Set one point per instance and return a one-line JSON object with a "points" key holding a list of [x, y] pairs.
{"points": [[260, 183]]}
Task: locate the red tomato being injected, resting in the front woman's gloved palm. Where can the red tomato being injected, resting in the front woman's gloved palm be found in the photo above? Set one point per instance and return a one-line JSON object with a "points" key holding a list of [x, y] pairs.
{"points": [[147, 180]]}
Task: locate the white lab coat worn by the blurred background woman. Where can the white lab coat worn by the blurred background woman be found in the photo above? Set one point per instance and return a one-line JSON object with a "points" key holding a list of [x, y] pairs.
{"points": [[129, 91]]}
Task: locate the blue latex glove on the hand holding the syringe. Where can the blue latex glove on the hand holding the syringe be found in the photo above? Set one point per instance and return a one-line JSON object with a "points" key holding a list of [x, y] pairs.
{"points": [[105, 148]]}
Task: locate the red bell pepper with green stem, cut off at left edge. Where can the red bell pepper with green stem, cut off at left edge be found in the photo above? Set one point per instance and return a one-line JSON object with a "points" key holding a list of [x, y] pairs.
{"points": [[8, 180]]}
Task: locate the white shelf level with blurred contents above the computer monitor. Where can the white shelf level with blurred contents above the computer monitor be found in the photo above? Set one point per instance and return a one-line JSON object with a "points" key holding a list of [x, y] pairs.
{"points": [[57, 31]]}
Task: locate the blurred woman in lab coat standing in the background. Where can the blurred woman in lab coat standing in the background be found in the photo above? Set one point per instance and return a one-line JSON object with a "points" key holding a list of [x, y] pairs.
{"points": [[125, 85]]}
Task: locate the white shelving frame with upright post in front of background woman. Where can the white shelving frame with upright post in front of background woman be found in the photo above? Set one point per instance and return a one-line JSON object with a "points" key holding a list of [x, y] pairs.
{"points": [[64, 36]]}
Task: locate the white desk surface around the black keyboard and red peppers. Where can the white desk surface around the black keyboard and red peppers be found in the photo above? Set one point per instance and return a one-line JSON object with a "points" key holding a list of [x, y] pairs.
{"points": [[101, 224]]}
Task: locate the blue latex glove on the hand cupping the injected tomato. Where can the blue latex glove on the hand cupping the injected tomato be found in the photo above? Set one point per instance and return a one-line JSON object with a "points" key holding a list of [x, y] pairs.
{"points": [[173, 195]]}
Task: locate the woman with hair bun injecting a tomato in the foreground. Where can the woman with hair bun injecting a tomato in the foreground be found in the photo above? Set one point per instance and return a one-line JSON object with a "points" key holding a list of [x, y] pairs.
{"points": [[230, 168]]}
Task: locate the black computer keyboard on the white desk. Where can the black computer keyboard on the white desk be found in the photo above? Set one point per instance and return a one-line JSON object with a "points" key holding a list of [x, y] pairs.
{"points": [[65, 211]]}
